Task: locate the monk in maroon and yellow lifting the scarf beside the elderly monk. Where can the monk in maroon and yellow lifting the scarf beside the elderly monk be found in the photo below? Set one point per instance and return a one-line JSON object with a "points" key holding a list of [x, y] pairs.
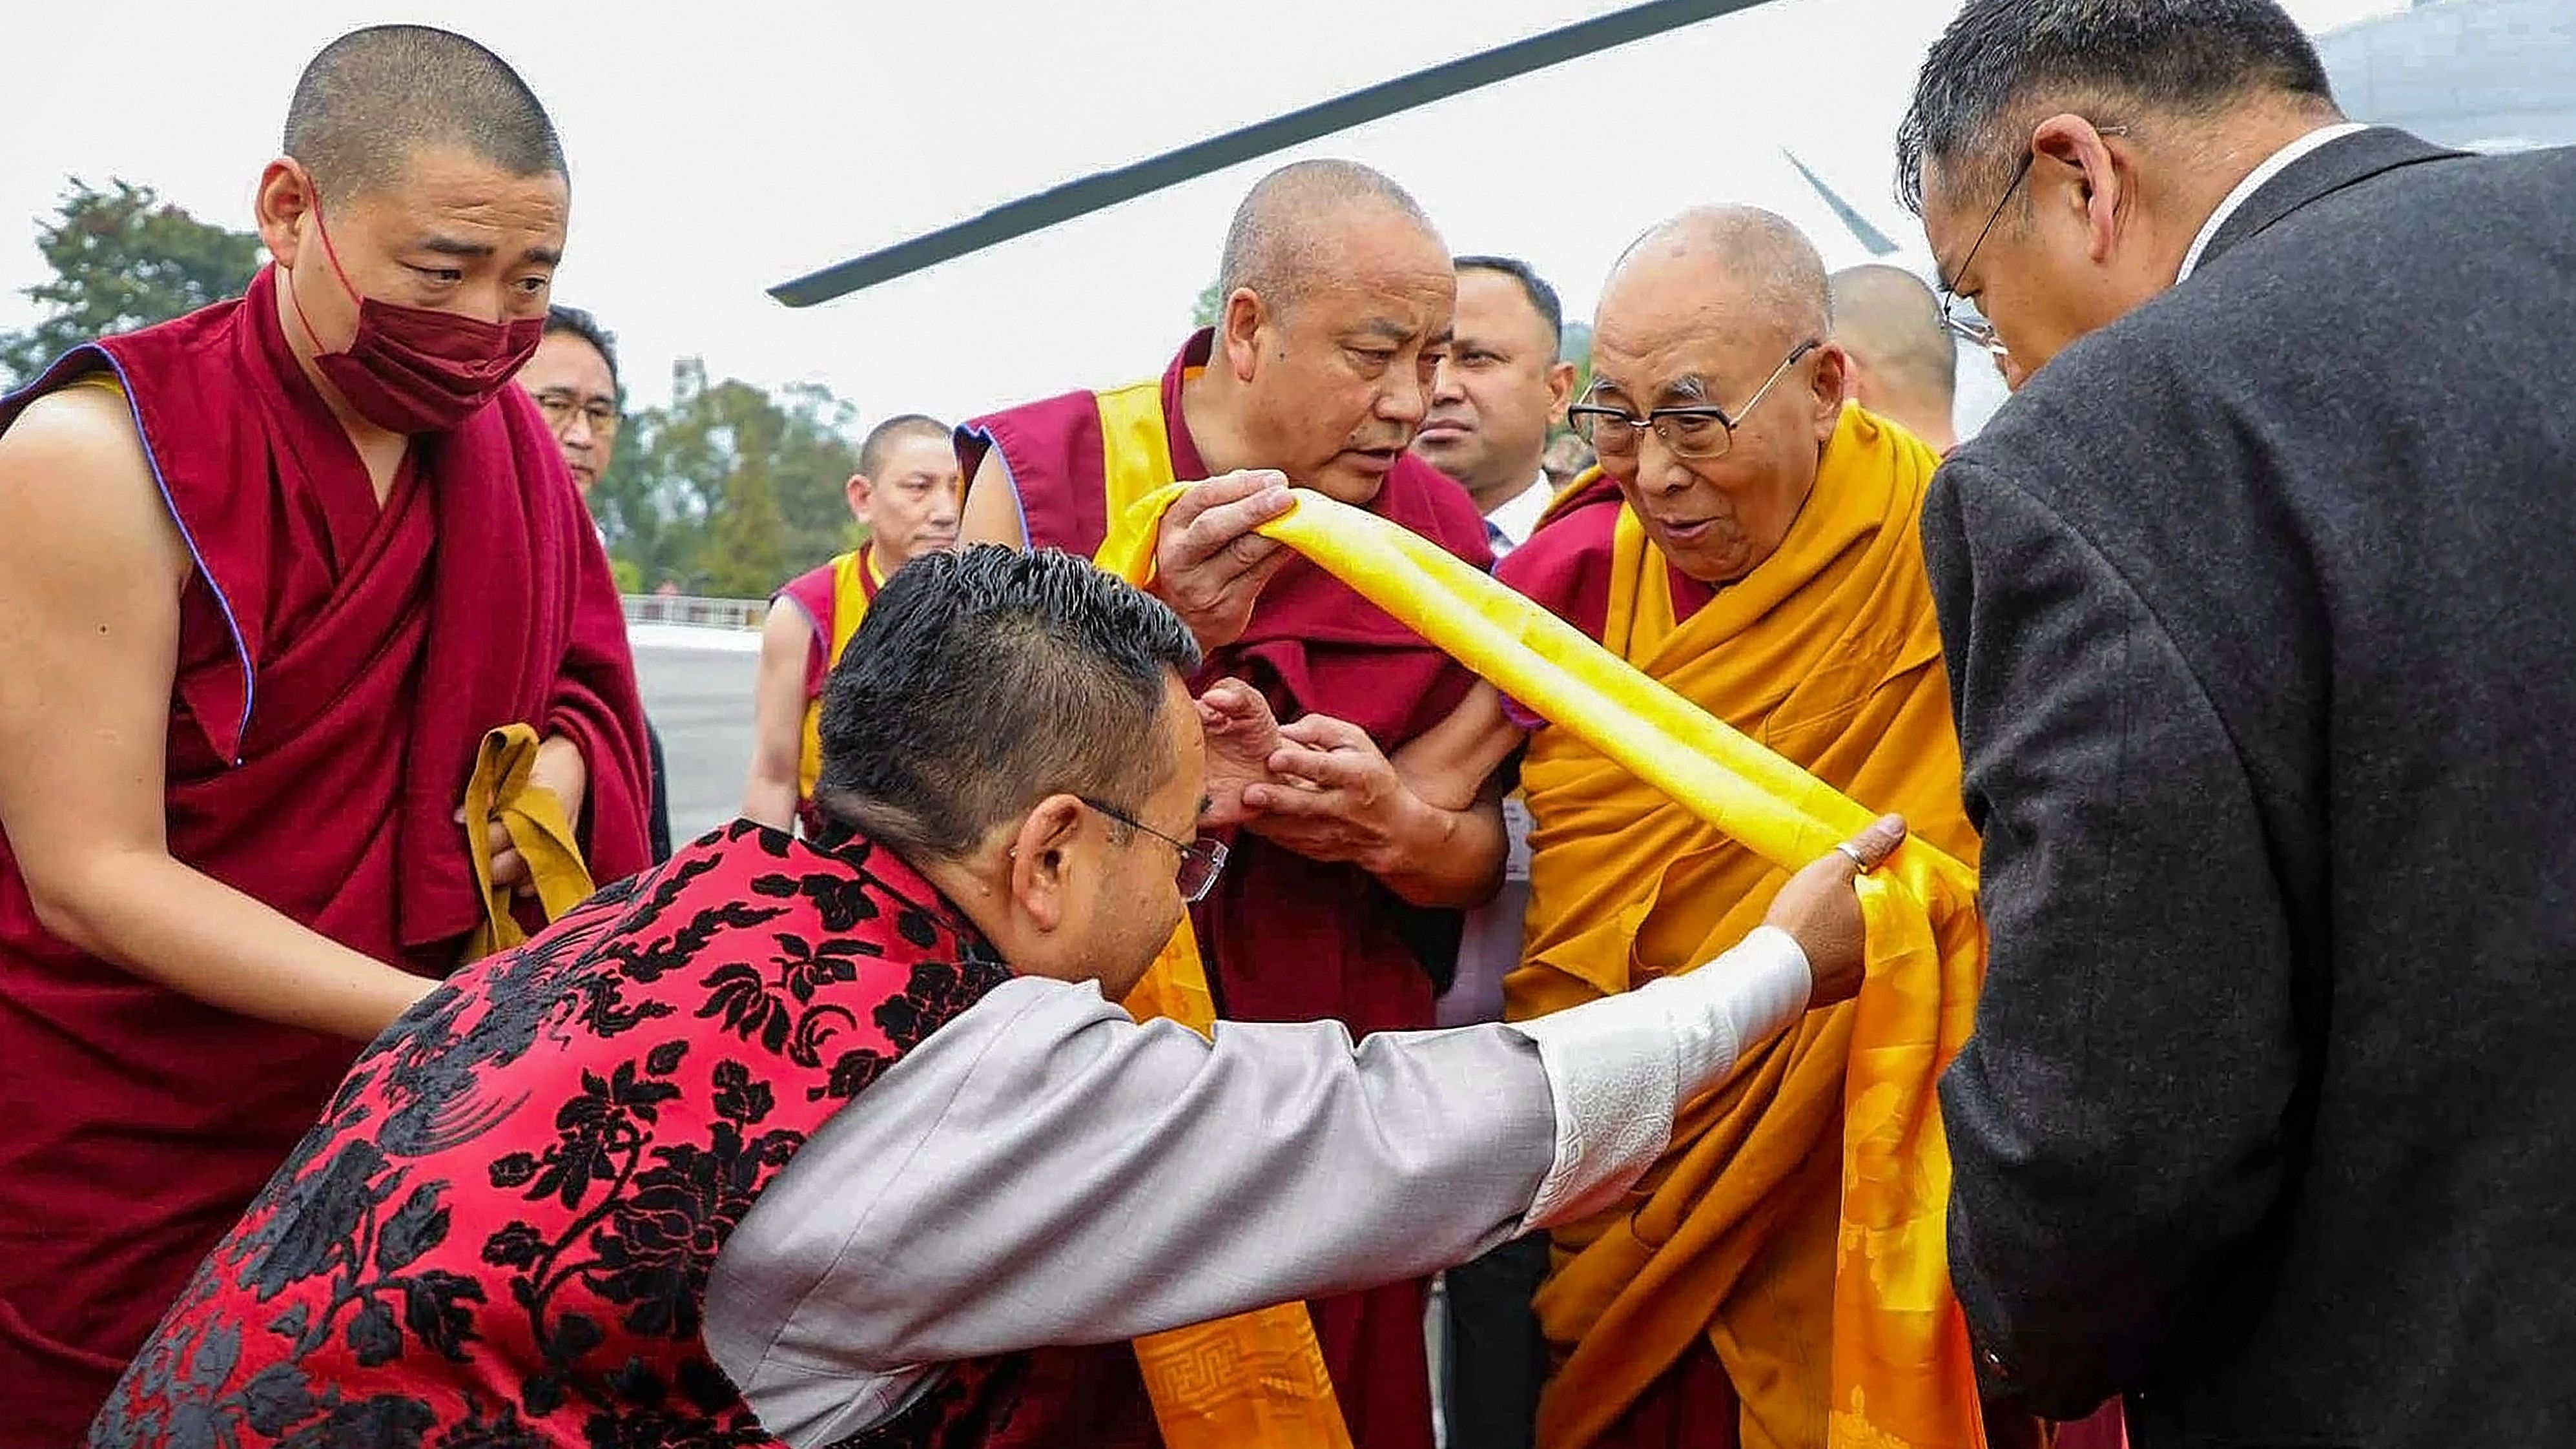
{"points": [[1341, 897]]}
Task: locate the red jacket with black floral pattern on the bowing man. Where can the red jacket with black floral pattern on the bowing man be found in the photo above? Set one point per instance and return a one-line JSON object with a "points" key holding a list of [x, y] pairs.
{"points": [[501, 1232]]}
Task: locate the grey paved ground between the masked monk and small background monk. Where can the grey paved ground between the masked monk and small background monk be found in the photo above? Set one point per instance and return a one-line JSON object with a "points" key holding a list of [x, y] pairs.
{"points": [[699, 696]]}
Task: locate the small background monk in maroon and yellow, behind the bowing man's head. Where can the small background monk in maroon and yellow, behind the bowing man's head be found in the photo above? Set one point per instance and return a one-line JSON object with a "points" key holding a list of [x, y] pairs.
{"points": [[905, 493]]}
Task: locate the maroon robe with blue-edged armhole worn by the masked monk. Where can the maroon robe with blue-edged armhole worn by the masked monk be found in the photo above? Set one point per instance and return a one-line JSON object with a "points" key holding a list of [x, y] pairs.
{"points": [[339, 663]]}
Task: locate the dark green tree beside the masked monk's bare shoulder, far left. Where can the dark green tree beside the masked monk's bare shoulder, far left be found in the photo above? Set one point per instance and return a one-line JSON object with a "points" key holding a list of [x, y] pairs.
{"points": [[122, 259]]}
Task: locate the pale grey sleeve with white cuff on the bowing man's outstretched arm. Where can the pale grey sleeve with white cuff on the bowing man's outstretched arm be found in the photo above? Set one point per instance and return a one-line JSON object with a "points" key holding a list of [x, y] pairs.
{"points": [[1050, 1172]]}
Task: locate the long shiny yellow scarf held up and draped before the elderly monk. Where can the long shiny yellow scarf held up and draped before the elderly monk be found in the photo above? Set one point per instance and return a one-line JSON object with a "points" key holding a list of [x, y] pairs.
{"points": [[1902, 1376]]}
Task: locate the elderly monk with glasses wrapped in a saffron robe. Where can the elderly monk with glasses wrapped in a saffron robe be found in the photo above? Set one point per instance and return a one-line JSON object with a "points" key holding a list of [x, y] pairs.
{"points": [[1753, 544]]}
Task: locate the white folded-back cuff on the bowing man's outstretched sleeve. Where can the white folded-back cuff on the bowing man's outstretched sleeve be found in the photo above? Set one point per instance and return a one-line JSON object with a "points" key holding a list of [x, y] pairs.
{"points": [[1622, 1067]]}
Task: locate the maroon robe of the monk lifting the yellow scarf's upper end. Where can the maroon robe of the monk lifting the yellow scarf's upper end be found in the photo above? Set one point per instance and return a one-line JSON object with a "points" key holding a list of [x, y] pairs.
{"points": [[1289, 938]]}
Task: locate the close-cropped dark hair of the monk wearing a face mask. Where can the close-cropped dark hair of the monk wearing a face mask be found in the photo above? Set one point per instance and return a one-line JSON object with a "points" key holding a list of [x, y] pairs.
{"points": [[377, 97]]}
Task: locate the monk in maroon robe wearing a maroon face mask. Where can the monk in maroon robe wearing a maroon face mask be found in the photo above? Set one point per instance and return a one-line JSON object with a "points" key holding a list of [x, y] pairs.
{"points": [[269, 575]]}
